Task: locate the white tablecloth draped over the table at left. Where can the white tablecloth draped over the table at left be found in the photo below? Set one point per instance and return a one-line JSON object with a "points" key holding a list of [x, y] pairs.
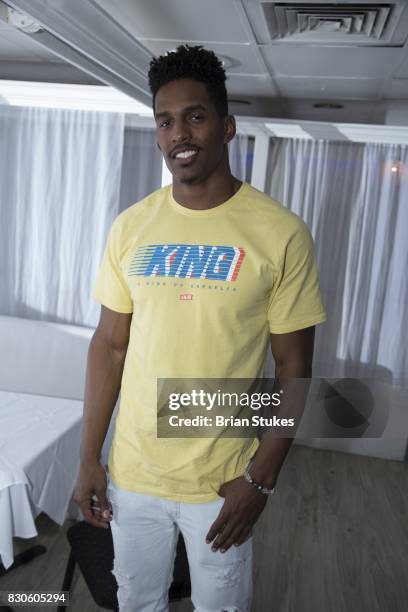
{"points": [[39, 459]]}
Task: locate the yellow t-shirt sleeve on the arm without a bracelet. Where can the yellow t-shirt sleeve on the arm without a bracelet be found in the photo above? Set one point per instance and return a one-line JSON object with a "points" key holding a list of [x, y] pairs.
{"points": [[111, 289]]}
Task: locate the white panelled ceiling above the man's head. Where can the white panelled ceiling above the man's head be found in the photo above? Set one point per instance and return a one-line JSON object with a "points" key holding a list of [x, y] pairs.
{"points": [[282, 58]]}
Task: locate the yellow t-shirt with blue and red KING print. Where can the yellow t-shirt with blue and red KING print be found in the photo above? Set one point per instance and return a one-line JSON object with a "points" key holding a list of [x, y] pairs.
{"points": [[206, 288]]}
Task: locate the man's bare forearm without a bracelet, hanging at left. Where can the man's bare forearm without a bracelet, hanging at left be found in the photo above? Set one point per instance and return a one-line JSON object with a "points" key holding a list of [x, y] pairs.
{"points": [[103, 380]]}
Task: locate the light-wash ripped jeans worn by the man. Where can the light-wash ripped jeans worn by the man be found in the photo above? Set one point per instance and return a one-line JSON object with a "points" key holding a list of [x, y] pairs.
{"points": [[145, 530]]}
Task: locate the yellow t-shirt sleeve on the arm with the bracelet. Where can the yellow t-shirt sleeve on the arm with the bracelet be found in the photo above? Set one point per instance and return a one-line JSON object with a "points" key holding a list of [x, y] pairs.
{"points": [[296, 301]]}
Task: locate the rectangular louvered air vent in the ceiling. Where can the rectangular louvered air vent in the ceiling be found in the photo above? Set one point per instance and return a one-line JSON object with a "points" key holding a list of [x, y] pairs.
{"points": [[336, 23]]}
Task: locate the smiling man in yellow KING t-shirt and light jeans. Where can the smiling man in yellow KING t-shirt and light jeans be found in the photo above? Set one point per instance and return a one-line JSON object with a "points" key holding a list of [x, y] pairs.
{"points": [[195, 280]]}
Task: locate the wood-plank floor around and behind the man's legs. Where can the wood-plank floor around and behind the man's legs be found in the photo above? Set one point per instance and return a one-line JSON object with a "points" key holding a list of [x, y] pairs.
{"points": [[333, 538]]}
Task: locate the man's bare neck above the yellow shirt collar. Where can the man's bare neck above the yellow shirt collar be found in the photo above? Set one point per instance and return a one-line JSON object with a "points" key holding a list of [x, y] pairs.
{"points": [[209, 193]]}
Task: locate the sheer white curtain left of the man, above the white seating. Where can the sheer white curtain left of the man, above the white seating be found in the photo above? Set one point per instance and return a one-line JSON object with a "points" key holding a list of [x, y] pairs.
{"points": [[60, 173]]}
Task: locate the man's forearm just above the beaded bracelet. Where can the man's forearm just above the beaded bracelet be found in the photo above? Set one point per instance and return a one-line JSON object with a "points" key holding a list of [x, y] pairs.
{"points": [[273, 449]]}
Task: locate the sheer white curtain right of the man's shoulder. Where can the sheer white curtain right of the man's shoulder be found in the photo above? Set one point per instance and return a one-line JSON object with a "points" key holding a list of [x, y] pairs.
{"points": [[356, 208]]}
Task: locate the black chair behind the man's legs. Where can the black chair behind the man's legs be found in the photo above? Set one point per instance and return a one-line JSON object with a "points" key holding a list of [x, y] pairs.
{"points": [[92, 549]]}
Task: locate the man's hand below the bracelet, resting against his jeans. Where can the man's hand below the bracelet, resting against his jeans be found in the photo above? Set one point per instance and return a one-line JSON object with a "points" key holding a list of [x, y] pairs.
{"points": [[242, 507]]}
